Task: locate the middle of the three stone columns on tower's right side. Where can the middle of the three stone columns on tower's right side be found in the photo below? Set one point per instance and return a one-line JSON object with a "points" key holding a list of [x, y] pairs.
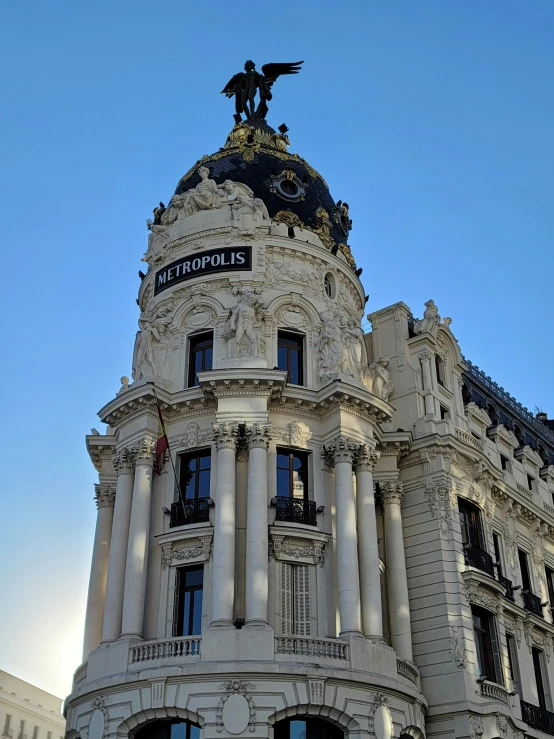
{"points": [[368, 549]]}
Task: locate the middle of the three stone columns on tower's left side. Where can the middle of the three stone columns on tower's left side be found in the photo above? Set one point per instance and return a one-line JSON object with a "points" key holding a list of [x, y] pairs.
{"points": [[124, 464]]}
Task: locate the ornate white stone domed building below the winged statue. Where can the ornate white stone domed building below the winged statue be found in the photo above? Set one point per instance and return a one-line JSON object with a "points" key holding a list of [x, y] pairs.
{"points": [[349, 535]]}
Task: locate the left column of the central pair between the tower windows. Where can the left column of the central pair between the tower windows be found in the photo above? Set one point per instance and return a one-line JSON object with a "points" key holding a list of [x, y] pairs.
{"points": [[223, 596]]}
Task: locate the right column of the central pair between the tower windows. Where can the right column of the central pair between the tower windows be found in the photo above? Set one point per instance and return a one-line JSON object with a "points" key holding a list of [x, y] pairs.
{"points": [[256, 525]]}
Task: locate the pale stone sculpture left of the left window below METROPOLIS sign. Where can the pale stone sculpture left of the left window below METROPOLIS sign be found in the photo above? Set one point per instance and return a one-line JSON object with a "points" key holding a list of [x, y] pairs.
{"points": [[152, 344]]}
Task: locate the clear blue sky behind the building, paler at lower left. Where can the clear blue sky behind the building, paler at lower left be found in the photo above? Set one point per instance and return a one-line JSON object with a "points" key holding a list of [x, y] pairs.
{"points": [[432, 118]]}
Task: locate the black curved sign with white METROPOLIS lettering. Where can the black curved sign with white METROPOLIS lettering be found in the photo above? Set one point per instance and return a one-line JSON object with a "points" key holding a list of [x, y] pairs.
{"points": [[226, 259]]}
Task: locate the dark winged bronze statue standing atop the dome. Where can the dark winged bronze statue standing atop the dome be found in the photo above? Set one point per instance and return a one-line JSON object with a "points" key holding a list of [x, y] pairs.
{"points": [[245, 85]]}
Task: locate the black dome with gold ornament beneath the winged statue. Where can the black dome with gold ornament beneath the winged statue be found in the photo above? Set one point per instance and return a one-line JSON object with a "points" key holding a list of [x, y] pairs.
{"points": [[302, 190]]}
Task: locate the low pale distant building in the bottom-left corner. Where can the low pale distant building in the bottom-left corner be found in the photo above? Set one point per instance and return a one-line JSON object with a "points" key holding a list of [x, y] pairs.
{"points": [[27, 712]]}
